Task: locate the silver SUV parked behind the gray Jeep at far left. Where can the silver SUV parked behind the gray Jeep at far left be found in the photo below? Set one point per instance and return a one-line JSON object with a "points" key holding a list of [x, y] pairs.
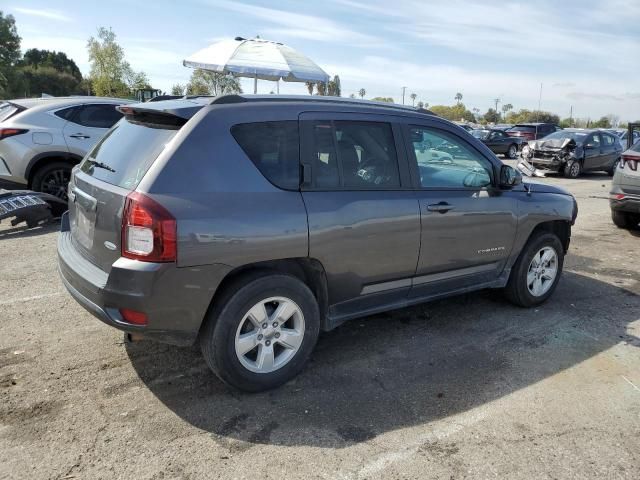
{"points": [[41, 139]]}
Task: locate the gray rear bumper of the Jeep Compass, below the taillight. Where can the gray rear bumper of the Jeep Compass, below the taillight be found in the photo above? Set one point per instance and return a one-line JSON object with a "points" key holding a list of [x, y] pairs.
{"points": [[174, 299]]}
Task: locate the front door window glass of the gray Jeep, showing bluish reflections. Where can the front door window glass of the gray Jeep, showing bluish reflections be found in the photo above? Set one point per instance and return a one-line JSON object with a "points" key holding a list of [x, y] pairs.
{"points": [[446, 161]]}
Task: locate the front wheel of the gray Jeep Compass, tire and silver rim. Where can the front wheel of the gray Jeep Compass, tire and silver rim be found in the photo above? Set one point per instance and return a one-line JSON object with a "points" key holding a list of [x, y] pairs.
{"points": [[537, 271]]}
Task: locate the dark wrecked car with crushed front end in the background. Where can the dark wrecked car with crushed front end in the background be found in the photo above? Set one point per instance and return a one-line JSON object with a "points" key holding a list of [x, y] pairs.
{"points": [[573, 151]]}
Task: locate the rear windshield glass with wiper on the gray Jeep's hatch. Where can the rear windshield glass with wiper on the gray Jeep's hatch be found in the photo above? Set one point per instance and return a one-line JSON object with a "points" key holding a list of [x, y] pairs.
{"points": [[125, 153]]}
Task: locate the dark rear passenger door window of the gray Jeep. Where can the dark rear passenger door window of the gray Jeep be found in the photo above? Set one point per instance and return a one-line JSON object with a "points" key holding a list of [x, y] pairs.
{"points": [[351, 154]]}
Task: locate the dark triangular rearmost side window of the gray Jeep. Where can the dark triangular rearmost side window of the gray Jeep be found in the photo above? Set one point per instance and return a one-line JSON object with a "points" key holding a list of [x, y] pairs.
{"points": [[274, 148]]}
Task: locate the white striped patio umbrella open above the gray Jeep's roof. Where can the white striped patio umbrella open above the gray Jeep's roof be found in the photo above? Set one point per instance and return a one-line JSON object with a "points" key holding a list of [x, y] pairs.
{"points": [[258, 59]]}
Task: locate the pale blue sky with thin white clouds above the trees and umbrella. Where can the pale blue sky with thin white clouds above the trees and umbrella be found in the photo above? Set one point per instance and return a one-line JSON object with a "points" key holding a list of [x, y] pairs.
{"points": [[582, 52]]}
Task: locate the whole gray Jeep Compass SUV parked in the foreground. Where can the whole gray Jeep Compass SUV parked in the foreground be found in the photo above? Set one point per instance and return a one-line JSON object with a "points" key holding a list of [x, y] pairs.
{"points": [[252, 223]]}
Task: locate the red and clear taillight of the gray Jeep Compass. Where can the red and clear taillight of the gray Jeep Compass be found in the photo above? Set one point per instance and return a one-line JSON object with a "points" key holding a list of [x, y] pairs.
{"points": [[148, 230]]}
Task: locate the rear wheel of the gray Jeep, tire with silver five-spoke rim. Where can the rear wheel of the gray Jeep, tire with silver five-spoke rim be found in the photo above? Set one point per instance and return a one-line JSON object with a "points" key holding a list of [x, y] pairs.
{"points": [[261, 332]]}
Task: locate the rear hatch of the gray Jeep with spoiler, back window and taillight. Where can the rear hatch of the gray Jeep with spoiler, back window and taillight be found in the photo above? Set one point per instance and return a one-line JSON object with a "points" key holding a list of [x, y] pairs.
{"points": [[102, 188]]}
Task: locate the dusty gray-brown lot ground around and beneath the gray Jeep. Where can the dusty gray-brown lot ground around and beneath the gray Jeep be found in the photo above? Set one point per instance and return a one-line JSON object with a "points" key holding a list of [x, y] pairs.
{"points": [[469, 387]]}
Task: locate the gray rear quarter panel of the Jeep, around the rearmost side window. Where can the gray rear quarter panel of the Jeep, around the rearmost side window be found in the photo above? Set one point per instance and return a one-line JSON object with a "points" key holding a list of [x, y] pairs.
{"points": [[227, 211]]}
